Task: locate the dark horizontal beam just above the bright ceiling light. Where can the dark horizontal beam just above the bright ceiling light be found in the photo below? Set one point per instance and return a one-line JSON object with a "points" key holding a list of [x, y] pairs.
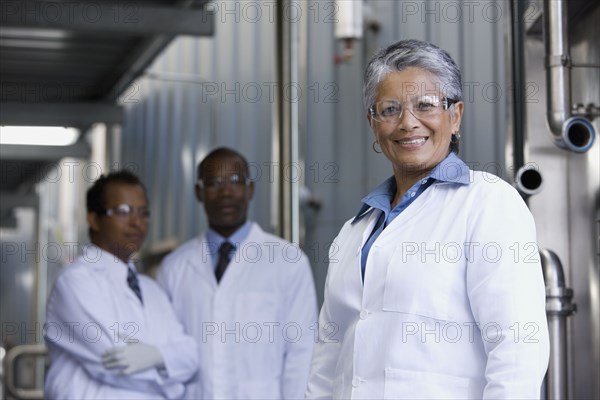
{"points": [[59, 114]]}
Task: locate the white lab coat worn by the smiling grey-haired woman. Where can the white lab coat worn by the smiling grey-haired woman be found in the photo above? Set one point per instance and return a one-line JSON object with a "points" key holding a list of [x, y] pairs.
{"points": [[453, 302]]}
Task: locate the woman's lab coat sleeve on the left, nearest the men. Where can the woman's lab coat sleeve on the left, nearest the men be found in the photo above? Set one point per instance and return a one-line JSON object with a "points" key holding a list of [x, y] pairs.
{"points": [[326, 351]]}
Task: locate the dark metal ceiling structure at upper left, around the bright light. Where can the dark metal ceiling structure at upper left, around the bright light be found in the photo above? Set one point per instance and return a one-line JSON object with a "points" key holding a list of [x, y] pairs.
{"points": [[65, 63]]}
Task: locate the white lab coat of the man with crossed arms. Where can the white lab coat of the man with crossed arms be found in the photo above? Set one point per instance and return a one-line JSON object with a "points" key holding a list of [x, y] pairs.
{"points": [[91, 309]]}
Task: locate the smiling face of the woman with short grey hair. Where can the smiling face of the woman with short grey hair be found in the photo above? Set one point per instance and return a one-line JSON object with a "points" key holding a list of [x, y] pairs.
{"points": [[415, 145]]}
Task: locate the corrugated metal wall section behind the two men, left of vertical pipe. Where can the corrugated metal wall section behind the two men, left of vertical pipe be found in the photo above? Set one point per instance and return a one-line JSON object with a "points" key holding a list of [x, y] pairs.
{"points": [[201, 93]]}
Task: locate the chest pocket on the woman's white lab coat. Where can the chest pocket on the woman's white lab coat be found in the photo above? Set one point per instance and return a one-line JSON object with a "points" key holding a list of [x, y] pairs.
{"points": [[414, 285]]}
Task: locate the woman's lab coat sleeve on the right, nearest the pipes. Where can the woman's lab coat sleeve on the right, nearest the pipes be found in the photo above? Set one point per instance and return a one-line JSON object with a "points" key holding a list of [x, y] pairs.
{"points": [[506, 291]]}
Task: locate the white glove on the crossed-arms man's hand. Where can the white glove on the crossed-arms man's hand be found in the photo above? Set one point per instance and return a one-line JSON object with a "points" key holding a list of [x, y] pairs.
{"points": [[132, 358]]}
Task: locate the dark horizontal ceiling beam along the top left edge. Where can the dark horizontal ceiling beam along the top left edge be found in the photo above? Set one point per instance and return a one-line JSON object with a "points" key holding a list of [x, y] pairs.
{"points": [[120, 17]]}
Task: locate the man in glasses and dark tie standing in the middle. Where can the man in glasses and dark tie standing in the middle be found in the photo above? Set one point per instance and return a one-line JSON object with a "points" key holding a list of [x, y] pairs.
{"points": [[247, 296]]}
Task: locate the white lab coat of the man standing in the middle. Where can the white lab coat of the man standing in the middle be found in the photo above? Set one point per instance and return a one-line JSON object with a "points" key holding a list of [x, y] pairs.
{"points": [[257, 327]]}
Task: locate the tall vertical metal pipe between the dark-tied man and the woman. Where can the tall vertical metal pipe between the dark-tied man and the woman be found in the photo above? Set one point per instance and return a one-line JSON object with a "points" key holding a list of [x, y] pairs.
{"points": [[286, 132]]}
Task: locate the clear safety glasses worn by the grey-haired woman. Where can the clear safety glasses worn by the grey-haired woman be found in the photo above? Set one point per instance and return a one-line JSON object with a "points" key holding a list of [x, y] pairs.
{"points": [[422, 107]]}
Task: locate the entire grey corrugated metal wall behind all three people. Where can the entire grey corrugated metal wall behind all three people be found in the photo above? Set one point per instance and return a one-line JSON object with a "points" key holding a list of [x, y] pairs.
{"points": [[218, 91]]}
